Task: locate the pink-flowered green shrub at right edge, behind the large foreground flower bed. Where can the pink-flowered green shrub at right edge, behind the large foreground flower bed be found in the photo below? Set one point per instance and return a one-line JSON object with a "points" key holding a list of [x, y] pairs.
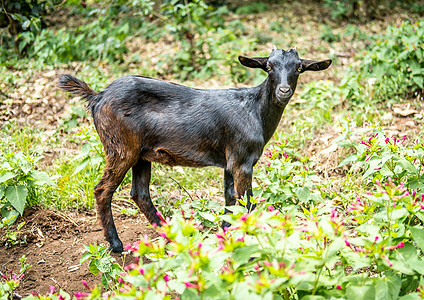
{"points": [[380, 157]]}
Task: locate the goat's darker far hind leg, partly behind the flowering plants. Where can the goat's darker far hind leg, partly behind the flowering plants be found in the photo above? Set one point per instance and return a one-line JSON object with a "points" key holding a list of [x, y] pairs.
{"points": [[141, 173]]}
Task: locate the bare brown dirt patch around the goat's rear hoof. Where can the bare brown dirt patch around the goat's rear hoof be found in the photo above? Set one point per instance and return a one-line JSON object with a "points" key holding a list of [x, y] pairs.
{"points": [[55, 245]]}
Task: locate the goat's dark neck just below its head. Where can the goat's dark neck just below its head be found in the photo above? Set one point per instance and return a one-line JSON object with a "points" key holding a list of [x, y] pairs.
{"points": [[270, 113]]}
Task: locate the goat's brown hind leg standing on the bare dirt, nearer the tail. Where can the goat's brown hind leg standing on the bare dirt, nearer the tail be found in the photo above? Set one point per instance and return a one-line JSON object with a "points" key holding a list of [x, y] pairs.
{"points": [[113, 175]]}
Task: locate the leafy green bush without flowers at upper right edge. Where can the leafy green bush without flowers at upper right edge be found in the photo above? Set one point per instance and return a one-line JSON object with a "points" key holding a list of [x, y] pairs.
{"points": [[392, 68]]}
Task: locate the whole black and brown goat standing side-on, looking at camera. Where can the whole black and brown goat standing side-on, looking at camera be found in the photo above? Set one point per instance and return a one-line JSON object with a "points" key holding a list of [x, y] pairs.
{"points": [[141, 120]]}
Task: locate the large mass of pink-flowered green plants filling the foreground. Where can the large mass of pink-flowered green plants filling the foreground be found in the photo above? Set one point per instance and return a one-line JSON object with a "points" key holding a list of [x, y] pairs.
{"points": [[322, 252]]}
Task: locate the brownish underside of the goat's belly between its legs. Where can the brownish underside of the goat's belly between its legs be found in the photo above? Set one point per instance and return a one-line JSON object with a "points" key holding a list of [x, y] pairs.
{"points": [[172, 158]]}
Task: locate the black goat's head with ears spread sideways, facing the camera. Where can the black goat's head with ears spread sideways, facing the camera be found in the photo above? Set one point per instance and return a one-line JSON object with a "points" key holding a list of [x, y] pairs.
{"points": [[284, 68]]}
